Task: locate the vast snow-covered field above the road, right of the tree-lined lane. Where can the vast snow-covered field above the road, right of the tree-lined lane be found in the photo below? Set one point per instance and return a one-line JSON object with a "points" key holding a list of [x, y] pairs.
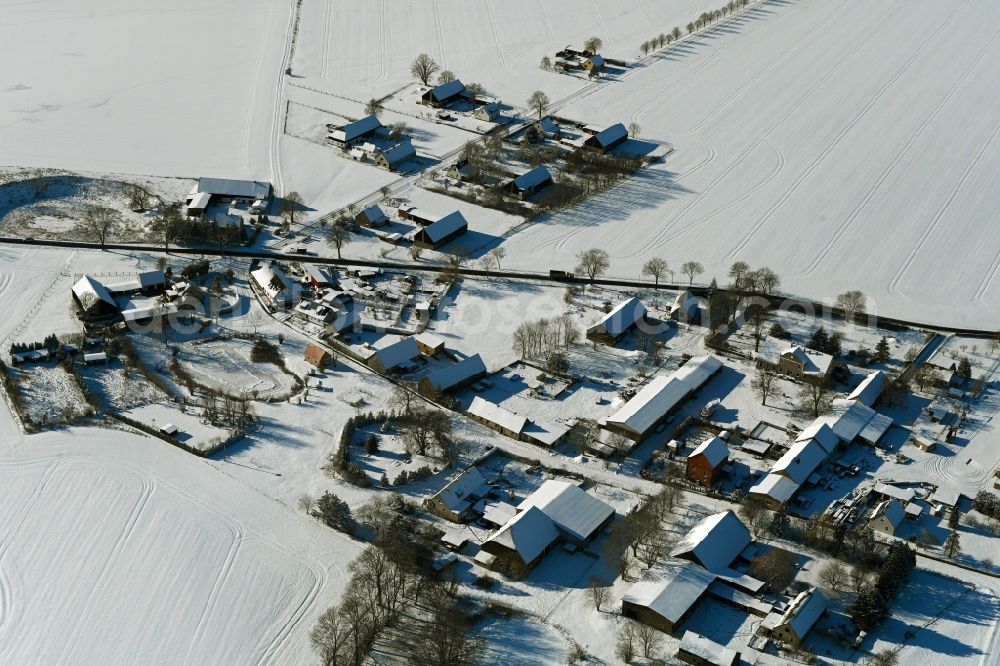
{"points": [[844, 144]]}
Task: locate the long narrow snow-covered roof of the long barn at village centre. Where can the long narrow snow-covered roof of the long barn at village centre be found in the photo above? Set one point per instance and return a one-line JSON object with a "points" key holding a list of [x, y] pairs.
{"points": [[664, 393]]}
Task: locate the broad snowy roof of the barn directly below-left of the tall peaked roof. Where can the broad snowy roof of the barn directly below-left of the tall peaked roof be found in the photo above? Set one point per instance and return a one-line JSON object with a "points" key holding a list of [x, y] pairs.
{"points": [[671, 589]]}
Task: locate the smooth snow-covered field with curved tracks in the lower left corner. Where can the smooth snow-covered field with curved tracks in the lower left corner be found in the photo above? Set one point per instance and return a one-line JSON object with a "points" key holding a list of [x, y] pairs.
{"points": [[131, 551]]}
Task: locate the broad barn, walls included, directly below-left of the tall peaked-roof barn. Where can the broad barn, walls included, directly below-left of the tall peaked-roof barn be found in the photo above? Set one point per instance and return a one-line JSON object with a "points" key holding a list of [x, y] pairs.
{"points": [[668, 595]]}
